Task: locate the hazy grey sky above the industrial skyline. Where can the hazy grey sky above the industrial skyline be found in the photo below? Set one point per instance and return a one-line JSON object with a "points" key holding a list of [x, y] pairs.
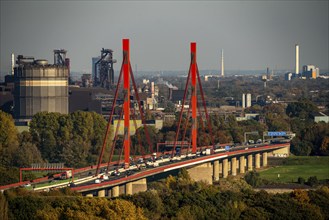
{"points": [[253, 34]]}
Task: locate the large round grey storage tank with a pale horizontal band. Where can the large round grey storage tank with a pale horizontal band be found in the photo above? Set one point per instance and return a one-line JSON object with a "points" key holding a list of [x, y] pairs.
{"points": [[39, 86]]}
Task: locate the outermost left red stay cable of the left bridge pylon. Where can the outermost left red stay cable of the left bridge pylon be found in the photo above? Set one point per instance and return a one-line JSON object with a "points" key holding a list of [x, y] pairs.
{"points": [[110, 119]]}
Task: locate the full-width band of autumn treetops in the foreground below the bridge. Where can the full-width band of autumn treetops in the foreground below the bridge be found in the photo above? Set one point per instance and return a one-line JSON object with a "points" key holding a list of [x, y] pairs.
{"points": [[173, 198]]}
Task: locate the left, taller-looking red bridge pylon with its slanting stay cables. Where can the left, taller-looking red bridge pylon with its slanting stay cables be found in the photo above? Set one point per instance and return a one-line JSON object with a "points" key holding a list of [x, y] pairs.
{"points": [[127, 73]]}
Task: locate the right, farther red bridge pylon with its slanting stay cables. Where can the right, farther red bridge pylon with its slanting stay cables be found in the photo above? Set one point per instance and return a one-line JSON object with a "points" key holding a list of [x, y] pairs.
{"points": [[193, 79]]}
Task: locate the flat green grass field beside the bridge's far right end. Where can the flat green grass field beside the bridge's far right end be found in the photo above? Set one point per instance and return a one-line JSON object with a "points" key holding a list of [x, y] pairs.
{"points": [[294, 167]]}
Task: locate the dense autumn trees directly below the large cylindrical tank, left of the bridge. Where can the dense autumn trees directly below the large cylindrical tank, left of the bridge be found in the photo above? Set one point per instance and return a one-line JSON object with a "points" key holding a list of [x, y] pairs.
{"points": [[73, 139]]}
